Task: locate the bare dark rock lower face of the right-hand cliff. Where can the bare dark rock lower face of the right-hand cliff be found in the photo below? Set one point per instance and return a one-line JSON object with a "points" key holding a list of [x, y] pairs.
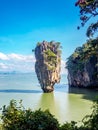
{"points": [[87, 77]]}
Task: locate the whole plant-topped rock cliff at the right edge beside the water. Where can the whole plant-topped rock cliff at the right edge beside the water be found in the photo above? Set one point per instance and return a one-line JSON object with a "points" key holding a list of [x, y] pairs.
{"points": [[83, 66]]}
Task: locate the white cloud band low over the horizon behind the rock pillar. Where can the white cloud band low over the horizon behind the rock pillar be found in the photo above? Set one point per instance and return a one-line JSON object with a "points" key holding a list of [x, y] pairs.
{"points": [[23, 63]]}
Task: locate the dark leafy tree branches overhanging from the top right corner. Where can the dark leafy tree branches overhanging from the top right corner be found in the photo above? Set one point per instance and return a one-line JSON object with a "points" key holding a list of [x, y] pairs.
{"points": [[88, 10]]}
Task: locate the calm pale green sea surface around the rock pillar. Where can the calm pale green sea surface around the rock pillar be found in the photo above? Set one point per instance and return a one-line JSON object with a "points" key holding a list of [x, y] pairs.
{"points": [[64, 103]]}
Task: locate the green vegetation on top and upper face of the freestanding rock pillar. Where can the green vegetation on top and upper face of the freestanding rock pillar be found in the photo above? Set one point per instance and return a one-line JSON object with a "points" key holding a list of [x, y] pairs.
{"points": [[51, 52]]}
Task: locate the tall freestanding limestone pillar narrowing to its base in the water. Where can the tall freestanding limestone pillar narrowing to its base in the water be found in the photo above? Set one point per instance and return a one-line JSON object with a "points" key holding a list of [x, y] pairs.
{"points": [[47, 66]]}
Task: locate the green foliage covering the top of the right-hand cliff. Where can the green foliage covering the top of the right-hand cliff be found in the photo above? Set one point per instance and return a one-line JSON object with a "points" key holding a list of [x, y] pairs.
{"points": [[82, 54]]}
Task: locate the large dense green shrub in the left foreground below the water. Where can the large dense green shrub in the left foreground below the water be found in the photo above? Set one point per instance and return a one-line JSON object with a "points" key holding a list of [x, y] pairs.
{"points": [[17, 118]]}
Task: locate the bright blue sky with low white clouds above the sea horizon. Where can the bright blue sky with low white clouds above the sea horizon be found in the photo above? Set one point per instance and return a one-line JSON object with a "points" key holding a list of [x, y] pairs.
{"points": [[23, 23]]}
